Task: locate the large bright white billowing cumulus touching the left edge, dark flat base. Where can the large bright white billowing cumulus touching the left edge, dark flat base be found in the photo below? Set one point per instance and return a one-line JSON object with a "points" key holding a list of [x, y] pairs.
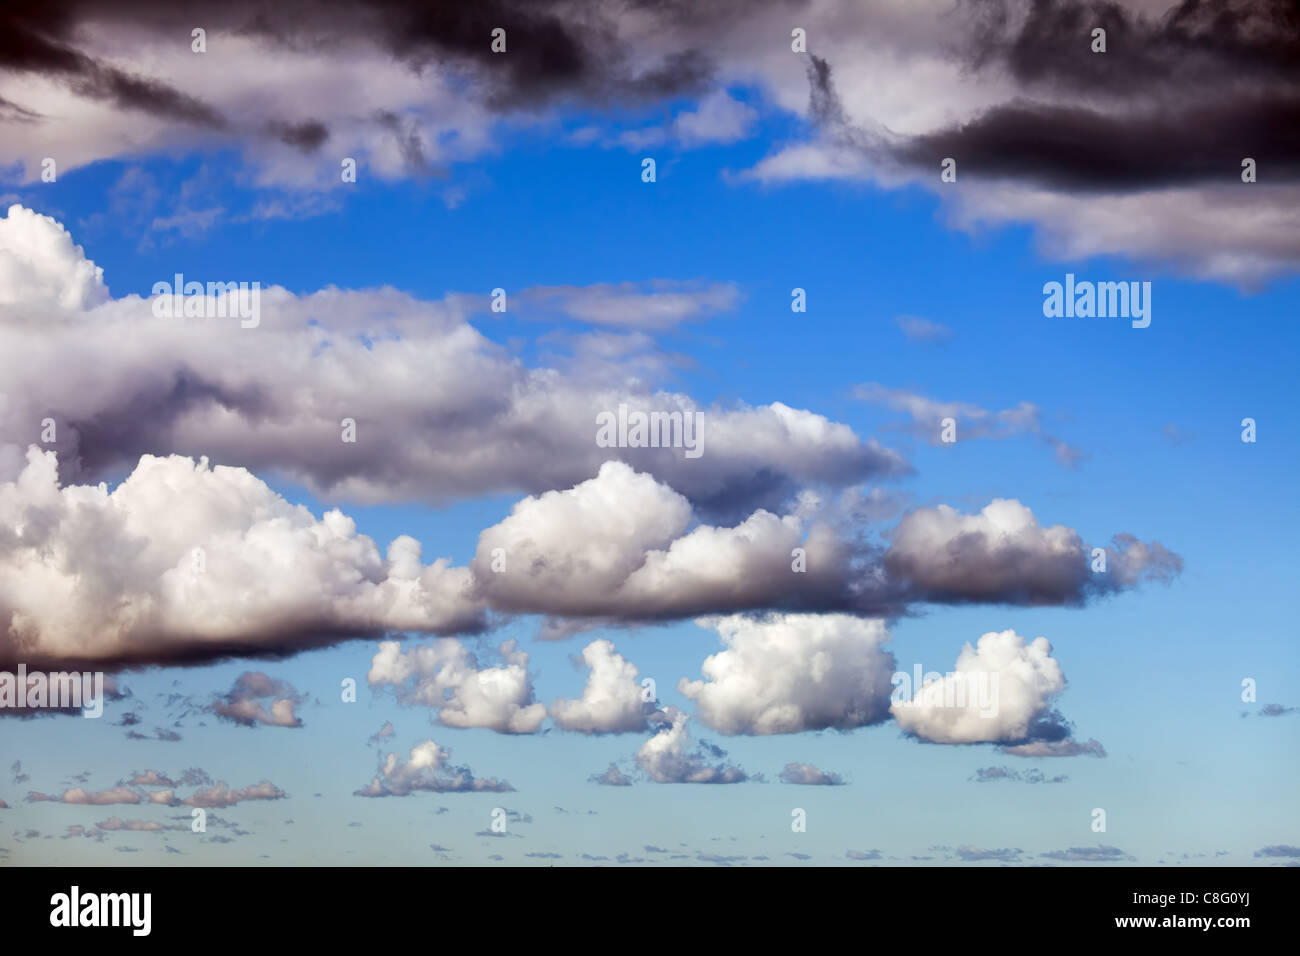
{"points": [[184, 560]]}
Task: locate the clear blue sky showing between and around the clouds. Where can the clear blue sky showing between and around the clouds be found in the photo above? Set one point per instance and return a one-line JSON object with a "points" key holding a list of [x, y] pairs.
{"points": [[1154, 671]]}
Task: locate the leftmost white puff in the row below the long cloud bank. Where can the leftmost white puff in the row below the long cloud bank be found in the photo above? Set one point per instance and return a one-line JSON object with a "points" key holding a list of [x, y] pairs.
{"points": [[447, 677]]}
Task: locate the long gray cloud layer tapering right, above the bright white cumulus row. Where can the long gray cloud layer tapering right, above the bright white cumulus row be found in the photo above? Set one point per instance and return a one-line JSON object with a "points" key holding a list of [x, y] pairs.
{"points": [[272, 399]]}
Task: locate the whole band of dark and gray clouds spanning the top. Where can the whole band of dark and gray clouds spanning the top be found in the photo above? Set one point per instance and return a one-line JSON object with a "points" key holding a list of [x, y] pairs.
{"points": [[1080, 144]]}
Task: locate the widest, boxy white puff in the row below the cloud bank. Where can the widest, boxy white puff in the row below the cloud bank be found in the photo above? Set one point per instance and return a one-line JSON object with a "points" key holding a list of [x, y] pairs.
{"points": [[791, 673]]}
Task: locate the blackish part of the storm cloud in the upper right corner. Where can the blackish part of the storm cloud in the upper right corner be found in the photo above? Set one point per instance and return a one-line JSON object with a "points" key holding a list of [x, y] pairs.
{"points": [[1181, 100]]}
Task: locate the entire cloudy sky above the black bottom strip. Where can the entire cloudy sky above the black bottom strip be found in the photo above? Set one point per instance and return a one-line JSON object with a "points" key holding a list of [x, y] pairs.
{"points": [[573, 652]]}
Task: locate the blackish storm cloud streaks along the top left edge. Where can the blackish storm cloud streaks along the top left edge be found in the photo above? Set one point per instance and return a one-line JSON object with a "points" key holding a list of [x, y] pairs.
{"points": [[553, 47]]}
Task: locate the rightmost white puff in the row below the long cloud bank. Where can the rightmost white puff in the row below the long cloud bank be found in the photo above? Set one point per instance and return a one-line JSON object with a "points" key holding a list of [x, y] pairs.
{"points": [[1000, 691]]}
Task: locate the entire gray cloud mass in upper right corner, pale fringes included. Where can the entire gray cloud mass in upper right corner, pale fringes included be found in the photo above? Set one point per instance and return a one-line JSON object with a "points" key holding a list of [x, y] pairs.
{"points": [[1080, 145]]}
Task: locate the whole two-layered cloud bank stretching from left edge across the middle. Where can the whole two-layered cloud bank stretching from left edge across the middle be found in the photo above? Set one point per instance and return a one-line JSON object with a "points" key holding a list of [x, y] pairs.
{"points": [[274, 397]]}
